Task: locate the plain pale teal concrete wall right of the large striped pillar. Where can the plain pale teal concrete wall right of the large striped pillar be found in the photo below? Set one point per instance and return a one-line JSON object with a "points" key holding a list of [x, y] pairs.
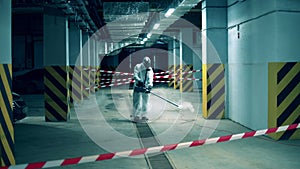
{"points": [[268, 32]]}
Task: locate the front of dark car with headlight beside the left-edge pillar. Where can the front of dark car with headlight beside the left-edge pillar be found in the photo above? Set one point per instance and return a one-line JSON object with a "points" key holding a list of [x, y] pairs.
{"points": [[20, 108]]}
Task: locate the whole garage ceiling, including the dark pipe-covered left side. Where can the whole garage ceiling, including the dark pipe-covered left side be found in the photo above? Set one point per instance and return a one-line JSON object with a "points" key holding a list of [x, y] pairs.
{"points": [[123, 21]]}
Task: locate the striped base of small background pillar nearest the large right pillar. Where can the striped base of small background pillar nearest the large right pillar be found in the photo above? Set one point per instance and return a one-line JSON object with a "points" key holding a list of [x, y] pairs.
{"points": [[186, 85]]}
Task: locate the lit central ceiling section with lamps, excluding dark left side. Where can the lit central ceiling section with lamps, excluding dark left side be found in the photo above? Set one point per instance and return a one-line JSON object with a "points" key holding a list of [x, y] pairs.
{"points": [[129, 22]]}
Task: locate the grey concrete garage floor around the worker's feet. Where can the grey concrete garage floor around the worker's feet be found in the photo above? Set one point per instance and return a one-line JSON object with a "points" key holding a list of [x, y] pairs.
{"points": [[101, 124]]}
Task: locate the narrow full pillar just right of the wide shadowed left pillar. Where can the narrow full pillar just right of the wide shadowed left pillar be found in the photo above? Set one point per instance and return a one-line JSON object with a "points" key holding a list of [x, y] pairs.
{"points": [[75, 70]]}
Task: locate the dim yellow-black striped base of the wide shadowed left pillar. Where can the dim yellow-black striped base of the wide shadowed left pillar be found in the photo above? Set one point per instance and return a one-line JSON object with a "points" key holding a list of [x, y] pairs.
{"points": [[56, 93]]}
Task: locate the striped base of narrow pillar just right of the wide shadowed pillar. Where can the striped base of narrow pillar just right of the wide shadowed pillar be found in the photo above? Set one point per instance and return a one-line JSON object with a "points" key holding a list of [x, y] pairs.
{"points": [[75, 76]]}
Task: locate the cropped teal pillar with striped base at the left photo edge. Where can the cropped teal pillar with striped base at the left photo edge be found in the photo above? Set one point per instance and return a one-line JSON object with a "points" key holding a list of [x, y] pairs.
{"points": [[7, 156]]}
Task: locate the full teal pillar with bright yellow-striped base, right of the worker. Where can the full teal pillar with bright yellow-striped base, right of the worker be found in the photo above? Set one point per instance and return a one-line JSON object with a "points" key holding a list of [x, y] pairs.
{"points": [[214, 57]]}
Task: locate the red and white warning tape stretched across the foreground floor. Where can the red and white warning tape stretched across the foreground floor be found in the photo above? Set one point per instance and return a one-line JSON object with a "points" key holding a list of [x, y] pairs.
{"points": [[157, 149]]}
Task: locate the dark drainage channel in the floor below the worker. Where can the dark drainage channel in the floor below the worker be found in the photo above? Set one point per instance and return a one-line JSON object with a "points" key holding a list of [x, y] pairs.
{"points": [[147, 139]]}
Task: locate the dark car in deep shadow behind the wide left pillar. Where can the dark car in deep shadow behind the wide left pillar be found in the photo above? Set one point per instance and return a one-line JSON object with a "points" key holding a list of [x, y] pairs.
{"points": [[31, 82]]}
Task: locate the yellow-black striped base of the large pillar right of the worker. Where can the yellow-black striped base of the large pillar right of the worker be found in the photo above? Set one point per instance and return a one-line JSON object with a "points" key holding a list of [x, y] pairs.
{"points": [[213, 92]]}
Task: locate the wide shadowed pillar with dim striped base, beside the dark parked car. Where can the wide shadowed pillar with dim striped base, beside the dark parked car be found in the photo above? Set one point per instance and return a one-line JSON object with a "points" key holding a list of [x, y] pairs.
{"points": [[56, 61]]}
